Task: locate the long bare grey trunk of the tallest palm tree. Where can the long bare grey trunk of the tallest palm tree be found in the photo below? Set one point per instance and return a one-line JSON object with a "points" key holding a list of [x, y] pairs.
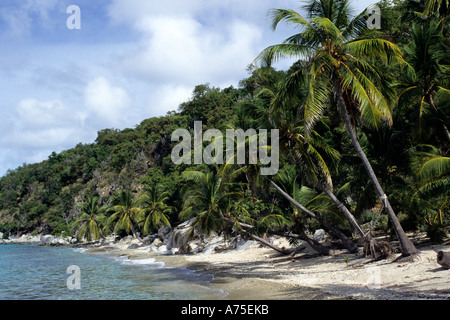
{"points": [[406, 245]]}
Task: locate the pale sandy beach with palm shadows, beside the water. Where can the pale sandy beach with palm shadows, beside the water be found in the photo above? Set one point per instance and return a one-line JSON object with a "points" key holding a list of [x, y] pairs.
{"points": [[262, 274]]}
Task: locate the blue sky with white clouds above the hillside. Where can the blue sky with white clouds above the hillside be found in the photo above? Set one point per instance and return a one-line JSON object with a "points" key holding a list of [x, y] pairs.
{"points": [[131, 60]]}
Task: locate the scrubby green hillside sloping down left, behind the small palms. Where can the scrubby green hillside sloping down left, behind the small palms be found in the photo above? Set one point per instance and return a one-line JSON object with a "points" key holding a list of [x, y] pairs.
{"points": [[45, 197]]}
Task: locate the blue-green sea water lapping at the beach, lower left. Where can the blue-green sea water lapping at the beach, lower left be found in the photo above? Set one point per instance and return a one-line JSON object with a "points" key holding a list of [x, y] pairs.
{"points": [[29, 272]]}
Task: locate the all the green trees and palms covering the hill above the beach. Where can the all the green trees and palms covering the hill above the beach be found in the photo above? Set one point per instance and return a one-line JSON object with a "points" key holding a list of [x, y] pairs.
{"points": [[363, 119]]}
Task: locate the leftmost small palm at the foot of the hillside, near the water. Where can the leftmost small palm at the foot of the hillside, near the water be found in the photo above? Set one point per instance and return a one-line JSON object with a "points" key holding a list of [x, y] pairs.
{"points": [[91, 221]]}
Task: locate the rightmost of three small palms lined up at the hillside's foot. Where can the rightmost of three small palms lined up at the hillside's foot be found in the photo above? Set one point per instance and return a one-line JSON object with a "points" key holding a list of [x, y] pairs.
{"points": [[155, 209]]}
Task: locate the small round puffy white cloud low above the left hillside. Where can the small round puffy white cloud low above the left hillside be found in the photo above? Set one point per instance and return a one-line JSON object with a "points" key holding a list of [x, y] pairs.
{"points": [[106, 101]]}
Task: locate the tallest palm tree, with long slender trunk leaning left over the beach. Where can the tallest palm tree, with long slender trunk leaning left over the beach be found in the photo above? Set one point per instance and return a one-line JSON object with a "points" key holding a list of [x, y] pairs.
{"points": [[347, 70]]}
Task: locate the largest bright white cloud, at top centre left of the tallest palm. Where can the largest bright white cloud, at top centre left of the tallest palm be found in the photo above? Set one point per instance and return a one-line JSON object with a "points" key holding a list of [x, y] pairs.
{"points": [[181, 50]]}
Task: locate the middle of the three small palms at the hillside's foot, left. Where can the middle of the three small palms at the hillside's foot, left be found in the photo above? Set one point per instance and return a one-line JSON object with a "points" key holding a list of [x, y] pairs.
{"points": [[125, 213]]}
